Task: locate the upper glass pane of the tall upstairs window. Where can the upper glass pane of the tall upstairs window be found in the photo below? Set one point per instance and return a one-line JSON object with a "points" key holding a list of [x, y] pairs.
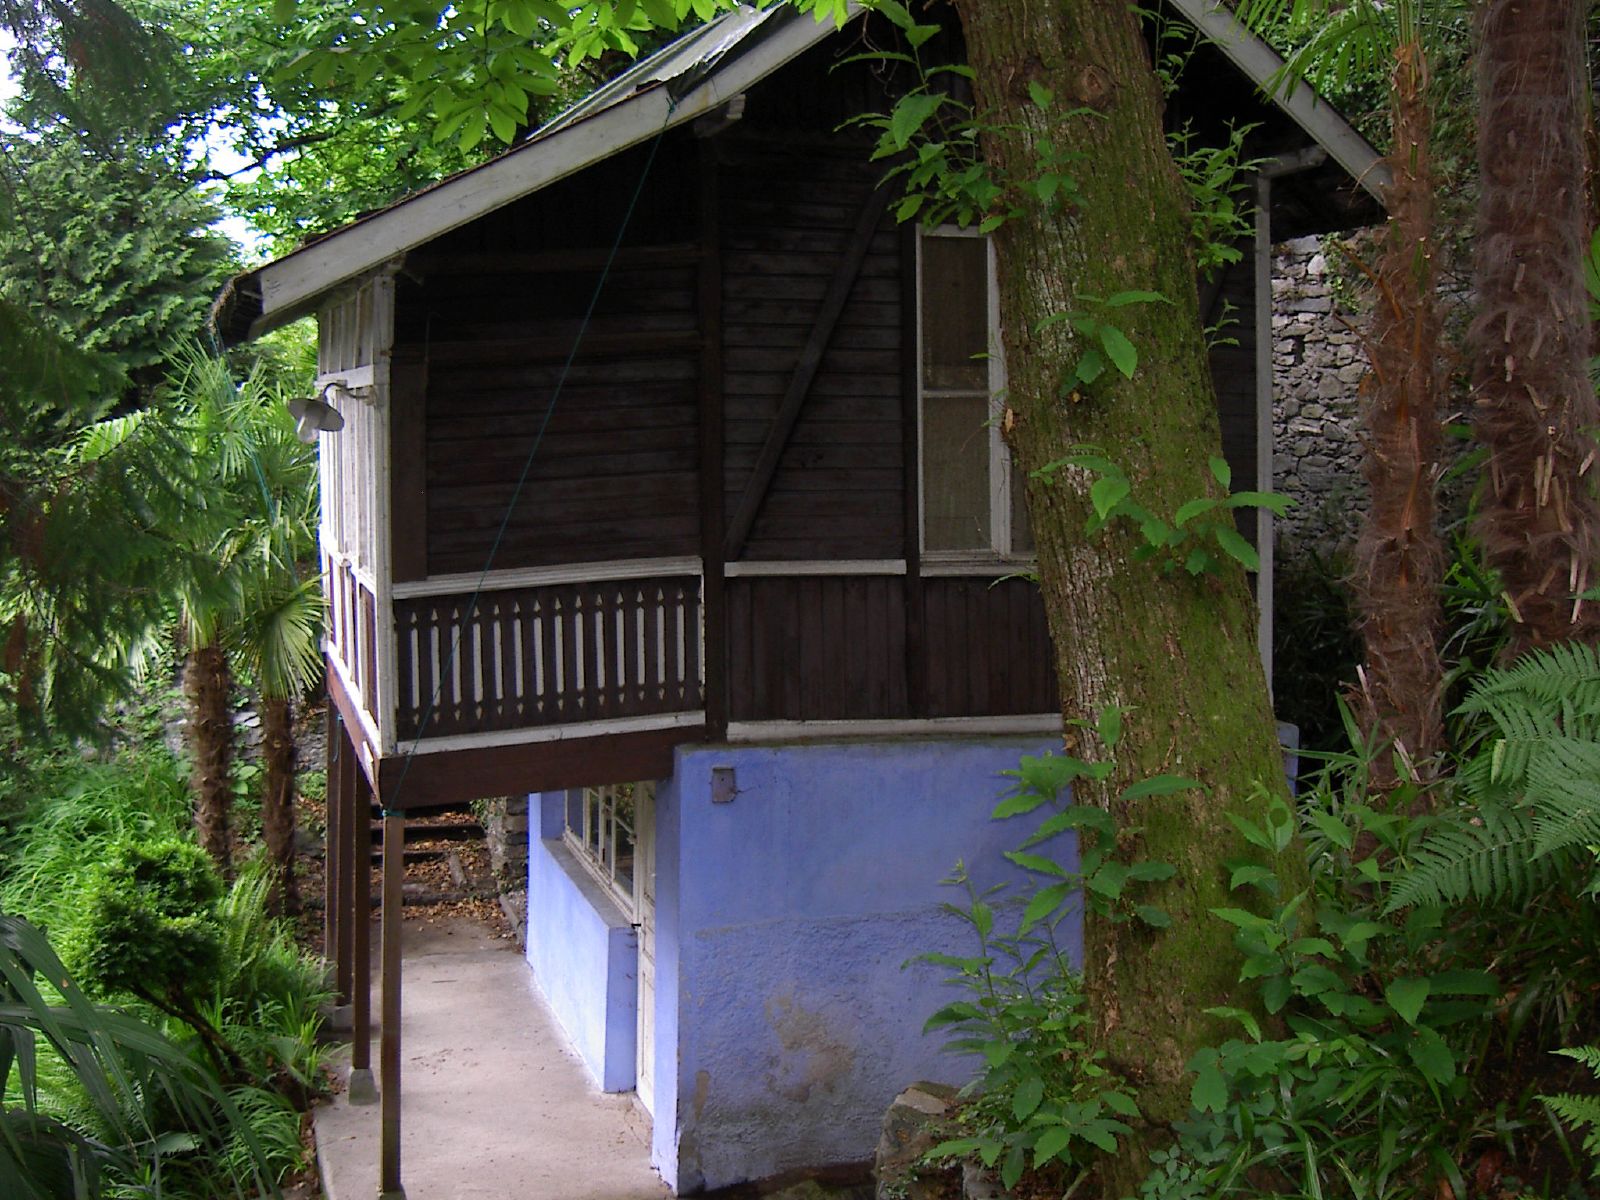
{"points": [[954, 313]]}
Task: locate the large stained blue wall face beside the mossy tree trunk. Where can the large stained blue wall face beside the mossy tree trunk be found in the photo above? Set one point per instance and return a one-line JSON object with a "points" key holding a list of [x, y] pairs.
{"points": [[785, 1017]]}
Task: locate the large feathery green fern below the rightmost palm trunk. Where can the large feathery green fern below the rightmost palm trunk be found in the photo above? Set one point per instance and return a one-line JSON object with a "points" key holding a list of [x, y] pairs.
{"points": [[1530, 794]]}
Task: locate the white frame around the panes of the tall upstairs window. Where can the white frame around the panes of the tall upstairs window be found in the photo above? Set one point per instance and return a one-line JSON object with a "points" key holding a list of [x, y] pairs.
{"points": [[999, 550]]}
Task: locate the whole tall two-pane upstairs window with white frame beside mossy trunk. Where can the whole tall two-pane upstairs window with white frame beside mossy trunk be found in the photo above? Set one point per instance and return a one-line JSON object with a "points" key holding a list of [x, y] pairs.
{"points": [[972, 498]]}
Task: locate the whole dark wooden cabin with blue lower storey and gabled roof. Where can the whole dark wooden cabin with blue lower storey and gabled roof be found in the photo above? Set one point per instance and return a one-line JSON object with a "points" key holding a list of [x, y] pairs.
{"points": [[668, 457]]}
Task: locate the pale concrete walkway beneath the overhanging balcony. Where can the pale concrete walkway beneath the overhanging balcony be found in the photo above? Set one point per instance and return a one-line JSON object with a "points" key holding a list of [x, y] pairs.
{"points": [[495, 1105]]}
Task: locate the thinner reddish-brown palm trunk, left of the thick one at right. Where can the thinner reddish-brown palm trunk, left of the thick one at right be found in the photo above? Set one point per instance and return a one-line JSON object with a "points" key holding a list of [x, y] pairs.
{"points": [[1399, 554]]}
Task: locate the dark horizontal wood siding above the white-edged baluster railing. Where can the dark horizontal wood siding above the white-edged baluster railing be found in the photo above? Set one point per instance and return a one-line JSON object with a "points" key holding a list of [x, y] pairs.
{"points": [[495, 311]]}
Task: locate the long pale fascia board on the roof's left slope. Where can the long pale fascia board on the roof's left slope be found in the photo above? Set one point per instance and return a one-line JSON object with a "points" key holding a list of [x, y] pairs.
{"points": [[292, 284]]}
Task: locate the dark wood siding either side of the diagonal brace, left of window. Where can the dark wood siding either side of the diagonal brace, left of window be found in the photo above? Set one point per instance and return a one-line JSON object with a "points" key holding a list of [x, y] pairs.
{"points": [[788, 215]]}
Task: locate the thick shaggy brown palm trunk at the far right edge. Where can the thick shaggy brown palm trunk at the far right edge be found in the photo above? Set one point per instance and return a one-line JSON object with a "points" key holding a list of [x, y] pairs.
{"points": [[1540, 524]]}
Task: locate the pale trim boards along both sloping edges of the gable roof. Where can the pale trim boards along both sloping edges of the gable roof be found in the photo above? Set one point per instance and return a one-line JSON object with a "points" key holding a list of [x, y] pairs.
{"points": [[294, 284]]}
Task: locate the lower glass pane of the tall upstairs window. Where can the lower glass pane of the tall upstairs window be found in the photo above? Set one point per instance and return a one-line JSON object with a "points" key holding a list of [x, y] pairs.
{"points": [[956, 473]]}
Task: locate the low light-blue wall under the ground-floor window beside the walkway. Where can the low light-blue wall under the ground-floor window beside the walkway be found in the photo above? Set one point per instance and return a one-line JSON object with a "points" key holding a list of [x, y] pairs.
{"points": [[583, 951]]}
